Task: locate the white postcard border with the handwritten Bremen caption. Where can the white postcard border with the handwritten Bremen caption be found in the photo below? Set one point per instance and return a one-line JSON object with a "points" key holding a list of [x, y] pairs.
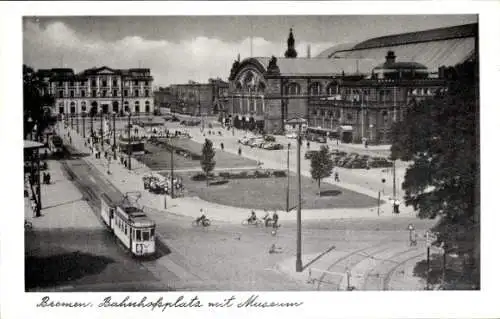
{"points": [[16, 304]]}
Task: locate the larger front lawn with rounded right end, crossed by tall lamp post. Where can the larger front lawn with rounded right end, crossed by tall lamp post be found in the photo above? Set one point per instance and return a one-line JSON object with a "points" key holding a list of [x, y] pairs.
{"points": [[270, 193]]}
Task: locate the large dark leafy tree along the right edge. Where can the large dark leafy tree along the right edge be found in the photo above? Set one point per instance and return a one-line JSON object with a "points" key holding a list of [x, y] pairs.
{"points": [[441, 138]]}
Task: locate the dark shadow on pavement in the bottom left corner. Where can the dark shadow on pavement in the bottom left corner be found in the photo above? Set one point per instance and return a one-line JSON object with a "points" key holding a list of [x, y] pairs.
{"points": [[41, 272]]}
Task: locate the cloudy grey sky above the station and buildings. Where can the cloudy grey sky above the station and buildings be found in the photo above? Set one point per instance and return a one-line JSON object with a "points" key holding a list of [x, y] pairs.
{"points": [[182, 48]]}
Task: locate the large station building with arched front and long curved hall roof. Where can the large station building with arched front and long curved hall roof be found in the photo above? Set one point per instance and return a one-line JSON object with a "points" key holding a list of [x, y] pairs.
{"points": [[354, 92]]}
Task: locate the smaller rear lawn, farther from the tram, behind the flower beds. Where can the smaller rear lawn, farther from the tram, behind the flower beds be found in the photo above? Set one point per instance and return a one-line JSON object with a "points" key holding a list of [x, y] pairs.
{"points": [[159, 158]]}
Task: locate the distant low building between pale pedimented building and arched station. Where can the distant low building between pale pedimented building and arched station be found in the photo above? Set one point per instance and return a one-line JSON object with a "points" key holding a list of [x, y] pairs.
{"points": [[199, 98]]}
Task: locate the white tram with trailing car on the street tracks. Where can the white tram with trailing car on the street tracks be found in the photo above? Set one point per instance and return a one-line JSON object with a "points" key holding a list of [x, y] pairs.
{"points": [[130, 225]]}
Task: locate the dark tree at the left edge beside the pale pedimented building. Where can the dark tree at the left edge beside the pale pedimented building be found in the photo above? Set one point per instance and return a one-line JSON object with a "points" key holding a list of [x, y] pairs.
{"points": [[34, 100]]}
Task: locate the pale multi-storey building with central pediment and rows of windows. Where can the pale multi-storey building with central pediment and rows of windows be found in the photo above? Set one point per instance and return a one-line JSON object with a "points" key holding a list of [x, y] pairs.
{"points": [[101, 89]]}
